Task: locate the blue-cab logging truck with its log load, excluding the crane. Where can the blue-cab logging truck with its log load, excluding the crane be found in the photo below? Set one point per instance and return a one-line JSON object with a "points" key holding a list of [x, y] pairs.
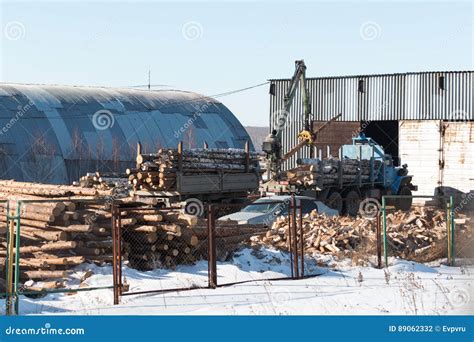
{"points": [[363, 170]]}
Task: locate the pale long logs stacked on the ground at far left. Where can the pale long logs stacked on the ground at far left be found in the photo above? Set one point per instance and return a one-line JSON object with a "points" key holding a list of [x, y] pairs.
{"points": [[55, 236]]}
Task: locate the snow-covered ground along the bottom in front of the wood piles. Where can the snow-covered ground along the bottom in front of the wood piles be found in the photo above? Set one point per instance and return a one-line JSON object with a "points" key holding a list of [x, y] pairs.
{"points": [[339, 289]]}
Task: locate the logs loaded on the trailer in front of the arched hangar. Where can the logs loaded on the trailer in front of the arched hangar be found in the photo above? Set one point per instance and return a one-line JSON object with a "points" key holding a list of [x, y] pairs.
{"points": [[158, 171]]}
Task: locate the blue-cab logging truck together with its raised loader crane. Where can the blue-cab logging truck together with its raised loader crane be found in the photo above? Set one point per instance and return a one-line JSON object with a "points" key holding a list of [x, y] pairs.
{"points": [[363, 169]]}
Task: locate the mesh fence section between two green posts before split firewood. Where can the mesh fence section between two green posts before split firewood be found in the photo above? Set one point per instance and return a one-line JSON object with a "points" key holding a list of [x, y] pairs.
{"points": [[425, 232]]}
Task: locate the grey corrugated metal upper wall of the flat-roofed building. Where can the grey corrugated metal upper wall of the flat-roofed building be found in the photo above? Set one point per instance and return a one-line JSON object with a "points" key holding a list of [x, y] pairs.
{"points": [[408, 96]]}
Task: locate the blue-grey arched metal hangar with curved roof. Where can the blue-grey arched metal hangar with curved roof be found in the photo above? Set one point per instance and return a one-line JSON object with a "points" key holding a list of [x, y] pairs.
{"points": [[50, 134]]}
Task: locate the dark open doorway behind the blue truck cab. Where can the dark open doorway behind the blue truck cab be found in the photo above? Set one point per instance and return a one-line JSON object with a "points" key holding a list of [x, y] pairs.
{"points": [[385, 133]]}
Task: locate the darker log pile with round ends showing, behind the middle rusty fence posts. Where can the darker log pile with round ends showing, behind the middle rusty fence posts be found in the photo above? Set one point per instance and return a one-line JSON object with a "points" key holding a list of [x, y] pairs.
{"points": [[165, 238]]}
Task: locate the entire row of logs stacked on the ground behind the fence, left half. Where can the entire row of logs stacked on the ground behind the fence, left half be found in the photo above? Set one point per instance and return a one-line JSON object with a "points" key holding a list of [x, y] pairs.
{"points": [[66, 226]]}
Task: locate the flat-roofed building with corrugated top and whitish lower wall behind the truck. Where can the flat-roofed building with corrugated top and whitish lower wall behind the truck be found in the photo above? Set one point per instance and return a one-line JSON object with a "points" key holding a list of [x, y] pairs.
{"points": [[429, 116]]}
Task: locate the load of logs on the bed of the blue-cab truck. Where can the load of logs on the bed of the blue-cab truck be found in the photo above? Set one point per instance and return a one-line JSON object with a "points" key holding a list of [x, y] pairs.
{"points": [[326, 172]]}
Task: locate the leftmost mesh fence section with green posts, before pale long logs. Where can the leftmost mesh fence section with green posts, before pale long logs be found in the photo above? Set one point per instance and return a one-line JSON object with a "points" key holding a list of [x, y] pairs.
{"points": [[53, 246]]}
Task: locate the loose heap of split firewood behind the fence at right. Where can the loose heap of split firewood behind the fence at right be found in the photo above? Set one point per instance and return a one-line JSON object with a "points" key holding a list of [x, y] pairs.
{"points": [[419, 234]]}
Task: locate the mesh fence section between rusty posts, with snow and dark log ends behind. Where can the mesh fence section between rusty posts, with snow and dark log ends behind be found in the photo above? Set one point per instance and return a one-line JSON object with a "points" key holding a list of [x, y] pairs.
{"points": [[152, 243]]}
